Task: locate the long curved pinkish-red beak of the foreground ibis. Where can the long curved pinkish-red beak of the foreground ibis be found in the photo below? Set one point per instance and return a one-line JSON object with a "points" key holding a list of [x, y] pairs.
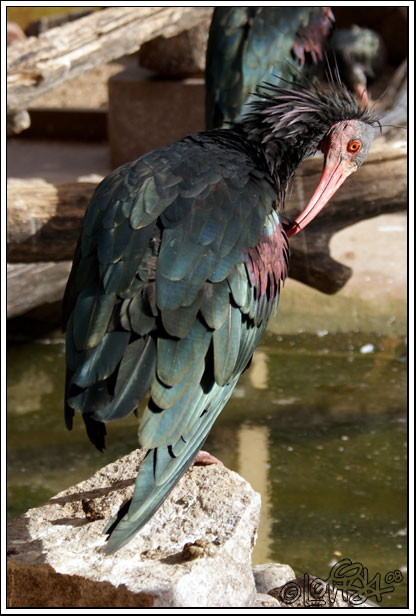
{"points": [[335, 172]]}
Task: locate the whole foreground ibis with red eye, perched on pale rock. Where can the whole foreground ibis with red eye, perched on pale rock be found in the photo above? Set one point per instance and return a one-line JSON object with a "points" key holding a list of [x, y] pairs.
{"points": [[178, 270]]}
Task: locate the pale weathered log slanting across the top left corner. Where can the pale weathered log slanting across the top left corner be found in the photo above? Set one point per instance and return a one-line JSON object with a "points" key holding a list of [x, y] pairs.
{"points": [[37, 65]]}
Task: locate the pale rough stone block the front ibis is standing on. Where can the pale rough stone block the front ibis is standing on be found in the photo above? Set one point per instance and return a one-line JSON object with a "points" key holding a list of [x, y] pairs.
{"points": [[195, 552]]}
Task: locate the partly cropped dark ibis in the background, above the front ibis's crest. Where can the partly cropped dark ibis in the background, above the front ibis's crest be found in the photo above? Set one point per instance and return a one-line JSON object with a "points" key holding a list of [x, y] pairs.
{"points": [[251, 45]]}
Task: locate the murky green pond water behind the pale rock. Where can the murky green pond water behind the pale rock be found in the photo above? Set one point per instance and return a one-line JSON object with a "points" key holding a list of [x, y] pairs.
{"points": [[317, 425]]}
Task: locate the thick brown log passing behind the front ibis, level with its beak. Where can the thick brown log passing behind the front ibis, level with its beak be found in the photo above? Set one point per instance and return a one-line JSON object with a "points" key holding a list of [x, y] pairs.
{"points": [[44, 220]]}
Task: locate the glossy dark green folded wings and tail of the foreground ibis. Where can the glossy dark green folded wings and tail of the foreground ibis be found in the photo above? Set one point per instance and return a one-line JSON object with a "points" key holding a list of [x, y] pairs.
{"points": [[166, 296]]}
